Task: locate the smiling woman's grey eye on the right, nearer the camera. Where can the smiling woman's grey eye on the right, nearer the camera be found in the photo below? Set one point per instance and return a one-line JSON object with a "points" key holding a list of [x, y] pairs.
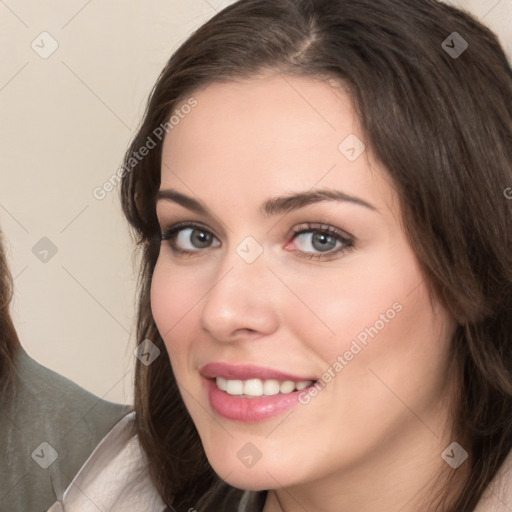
{"points": [[317, 241]]}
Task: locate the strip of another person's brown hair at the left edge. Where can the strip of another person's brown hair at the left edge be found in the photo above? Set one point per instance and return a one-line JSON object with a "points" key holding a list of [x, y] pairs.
{"points": [[9, 342]]}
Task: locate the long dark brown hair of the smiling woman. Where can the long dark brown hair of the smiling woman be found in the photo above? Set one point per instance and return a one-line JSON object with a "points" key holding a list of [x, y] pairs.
{"points": [[442, 127]]}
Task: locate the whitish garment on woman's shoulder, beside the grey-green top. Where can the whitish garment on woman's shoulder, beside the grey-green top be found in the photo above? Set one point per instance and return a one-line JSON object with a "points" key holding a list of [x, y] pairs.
{"points": [[114, 477]]}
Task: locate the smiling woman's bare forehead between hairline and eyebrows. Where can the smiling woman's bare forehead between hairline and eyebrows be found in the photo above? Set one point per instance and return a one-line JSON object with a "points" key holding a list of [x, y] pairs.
{"points": [[267, 135]]}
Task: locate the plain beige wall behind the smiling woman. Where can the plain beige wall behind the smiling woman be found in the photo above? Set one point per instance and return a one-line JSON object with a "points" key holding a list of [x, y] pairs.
{"points": [[66, 119]]}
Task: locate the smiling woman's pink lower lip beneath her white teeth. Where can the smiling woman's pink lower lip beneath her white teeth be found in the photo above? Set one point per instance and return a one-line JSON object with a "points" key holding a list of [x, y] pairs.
{"points": [[249, 410]]}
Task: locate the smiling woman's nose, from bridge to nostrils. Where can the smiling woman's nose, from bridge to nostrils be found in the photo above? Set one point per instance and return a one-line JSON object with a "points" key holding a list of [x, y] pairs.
{"points": [[241, 302]]}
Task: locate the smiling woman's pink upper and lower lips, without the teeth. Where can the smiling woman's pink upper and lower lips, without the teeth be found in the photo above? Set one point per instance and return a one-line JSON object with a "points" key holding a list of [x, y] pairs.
{"points": [[248, 410]]}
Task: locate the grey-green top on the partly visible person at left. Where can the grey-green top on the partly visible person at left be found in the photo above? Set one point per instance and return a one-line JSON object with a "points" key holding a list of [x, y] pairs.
{"points": [[48, 428]]}
